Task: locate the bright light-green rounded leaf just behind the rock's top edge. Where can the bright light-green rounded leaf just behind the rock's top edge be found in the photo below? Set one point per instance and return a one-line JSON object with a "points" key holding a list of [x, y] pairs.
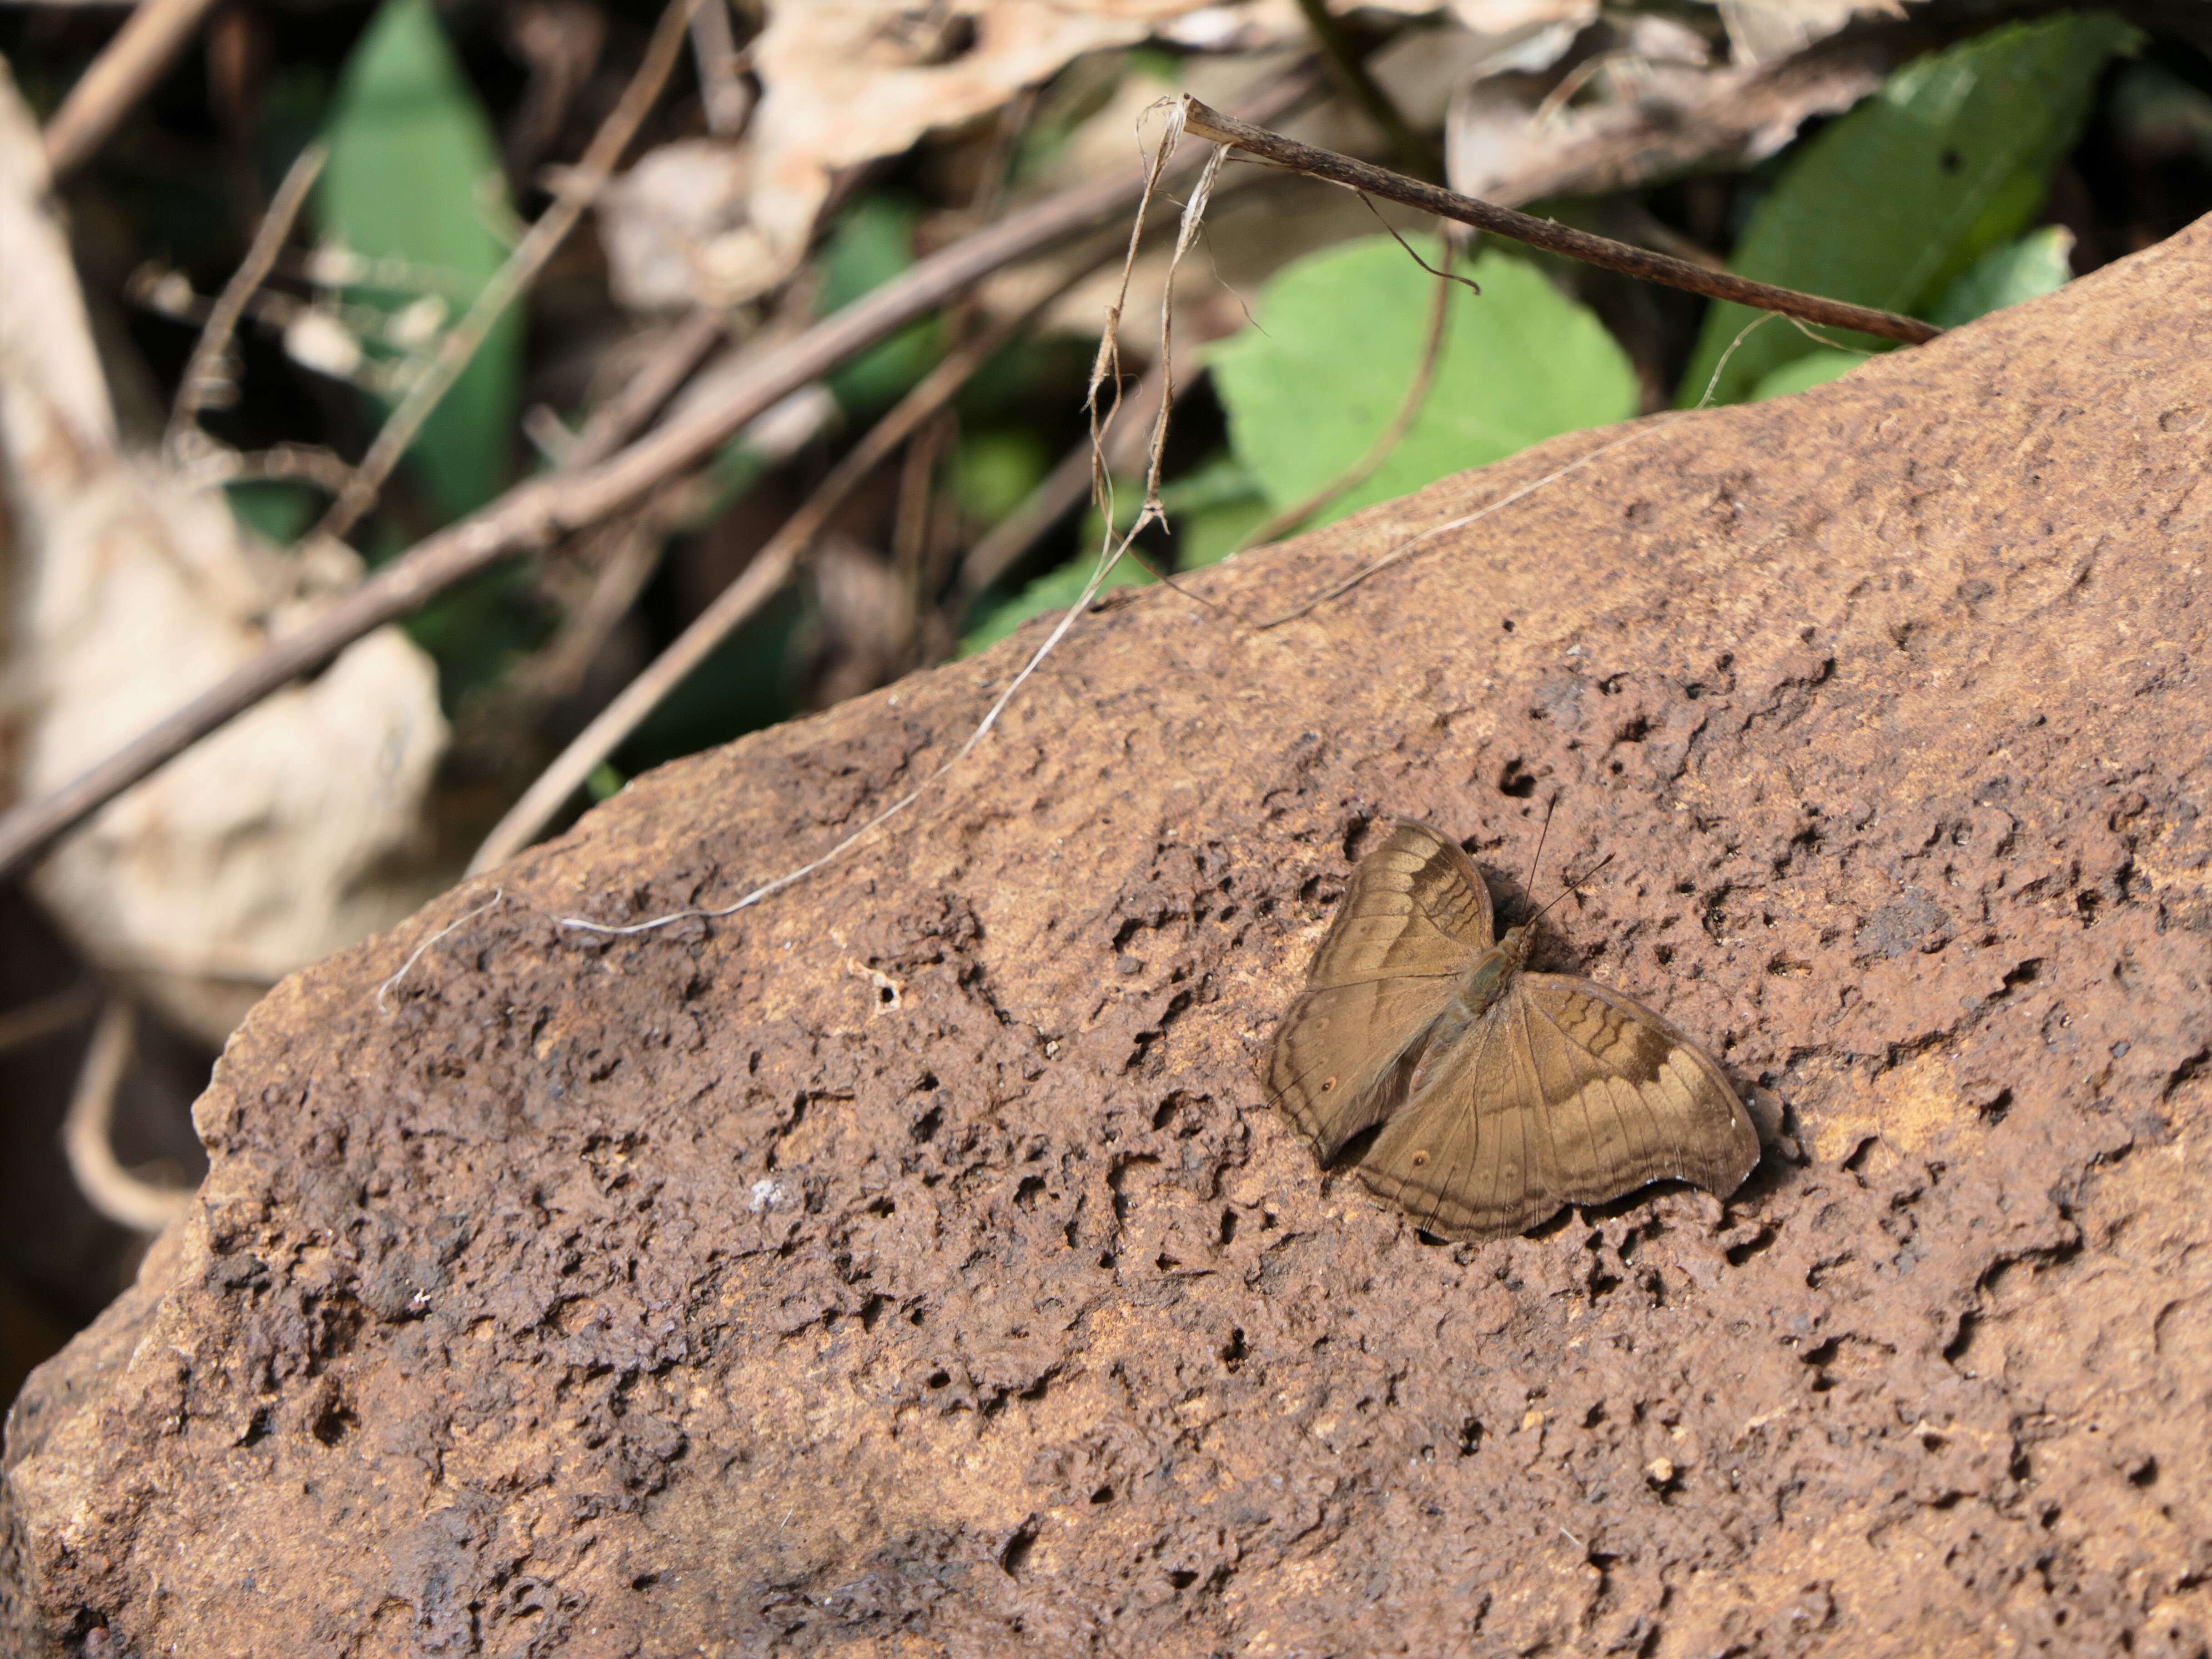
{"points": [[1339, 340]]}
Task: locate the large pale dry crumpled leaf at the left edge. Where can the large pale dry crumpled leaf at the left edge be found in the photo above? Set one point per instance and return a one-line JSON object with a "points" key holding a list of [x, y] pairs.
{"points": [[280, 839]]}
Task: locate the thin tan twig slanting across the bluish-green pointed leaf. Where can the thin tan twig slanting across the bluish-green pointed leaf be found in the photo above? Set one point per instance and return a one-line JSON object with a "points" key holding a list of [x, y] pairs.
{"points": [[578, 189]]}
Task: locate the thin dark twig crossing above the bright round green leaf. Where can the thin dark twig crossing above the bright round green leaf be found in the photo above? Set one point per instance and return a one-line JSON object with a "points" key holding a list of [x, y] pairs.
{"points": [[1545, 233]]}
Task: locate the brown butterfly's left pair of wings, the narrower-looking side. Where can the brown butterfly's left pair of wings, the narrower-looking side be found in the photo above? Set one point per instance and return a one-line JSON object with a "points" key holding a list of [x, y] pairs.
{"points": [[1410, 926]]}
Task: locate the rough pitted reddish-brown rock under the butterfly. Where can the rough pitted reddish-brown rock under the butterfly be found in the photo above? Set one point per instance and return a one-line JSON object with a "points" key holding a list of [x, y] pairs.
{"points": [[912, 1266]]}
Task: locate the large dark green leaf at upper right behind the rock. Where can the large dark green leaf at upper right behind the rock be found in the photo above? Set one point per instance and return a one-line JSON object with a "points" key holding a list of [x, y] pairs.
{"points": [[1890, 205]]}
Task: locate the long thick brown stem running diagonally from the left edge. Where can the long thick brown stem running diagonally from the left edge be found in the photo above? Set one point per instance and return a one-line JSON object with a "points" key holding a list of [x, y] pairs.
{"points": [[539, 512]]}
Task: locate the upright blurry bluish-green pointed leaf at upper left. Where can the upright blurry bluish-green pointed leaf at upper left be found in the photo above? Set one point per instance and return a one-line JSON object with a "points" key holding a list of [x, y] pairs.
{"points": [[415, 176]]}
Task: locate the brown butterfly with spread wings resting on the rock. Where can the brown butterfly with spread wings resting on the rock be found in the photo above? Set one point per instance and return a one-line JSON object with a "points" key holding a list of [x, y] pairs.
{"points": [[1503, 1094]]}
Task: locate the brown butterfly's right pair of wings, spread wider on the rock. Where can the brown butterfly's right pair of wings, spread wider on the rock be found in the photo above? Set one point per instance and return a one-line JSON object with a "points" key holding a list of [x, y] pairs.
{"points": [[1563, 1094]]}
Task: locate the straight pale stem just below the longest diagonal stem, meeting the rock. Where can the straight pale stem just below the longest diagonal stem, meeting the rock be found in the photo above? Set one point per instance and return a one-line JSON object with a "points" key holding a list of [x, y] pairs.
{"points": [[755, 587]]}
